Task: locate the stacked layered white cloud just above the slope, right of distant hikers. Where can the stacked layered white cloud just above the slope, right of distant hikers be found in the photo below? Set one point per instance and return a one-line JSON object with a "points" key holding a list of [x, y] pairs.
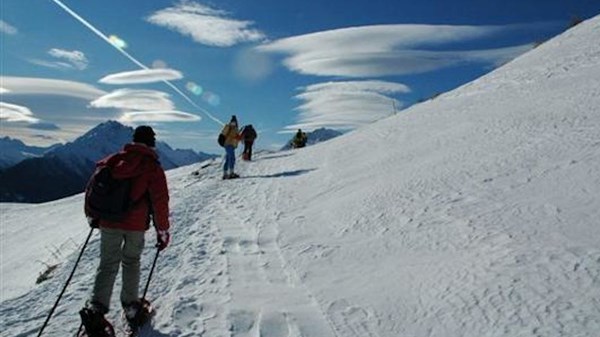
{"points": [[346, 105]]}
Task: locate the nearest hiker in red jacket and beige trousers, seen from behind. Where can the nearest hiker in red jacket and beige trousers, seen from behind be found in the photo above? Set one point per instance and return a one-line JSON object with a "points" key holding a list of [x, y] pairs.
{"points": [[122, 242]]}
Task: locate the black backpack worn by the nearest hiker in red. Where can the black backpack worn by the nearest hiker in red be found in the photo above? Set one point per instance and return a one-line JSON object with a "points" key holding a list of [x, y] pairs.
{"points": [[107, 198]]}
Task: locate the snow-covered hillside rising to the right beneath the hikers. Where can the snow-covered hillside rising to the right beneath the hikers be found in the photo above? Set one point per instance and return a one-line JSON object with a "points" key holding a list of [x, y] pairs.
{"points": [[474, 214]]}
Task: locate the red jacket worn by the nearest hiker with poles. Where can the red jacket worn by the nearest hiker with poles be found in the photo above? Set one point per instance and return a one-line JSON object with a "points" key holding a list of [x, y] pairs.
{"points": [[148, 191]]}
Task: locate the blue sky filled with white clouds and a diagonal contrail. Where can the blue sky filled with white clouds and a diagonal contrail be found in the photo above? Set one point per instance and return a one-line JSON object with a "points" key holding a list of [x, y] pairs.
{"points": [[186, 66]]}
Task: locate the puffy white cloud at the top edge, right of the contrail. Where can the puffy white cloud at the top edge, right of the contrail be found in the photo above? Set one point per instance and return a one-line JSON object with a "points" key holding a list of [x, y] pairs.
{"points": [[206, 25]]}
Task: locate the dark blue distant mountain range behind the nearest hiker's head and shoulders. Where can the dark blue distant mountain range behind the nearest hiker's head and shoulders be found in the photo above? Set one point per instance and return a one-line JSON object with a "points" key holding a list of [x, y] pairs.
{"points": [[35, 174]]}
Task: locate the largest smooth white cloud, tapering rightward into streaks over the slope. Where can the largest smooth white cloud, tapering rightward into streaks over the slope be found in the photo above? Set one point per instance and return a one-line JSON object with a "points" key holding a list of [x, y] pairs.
{"points": [[384, 50]]}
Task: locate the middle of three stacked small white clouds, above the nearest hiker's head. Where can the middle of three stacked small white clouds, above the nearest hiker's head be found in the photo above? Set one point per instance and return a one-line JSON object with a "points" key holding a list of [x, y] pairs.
{"points": [[129, 99]]}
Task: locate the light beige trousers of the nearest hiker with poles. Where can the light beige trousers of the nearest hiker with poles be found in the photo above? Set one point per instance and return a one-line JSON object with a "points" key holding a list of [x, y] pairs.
{"points": [[118, 248]]}
